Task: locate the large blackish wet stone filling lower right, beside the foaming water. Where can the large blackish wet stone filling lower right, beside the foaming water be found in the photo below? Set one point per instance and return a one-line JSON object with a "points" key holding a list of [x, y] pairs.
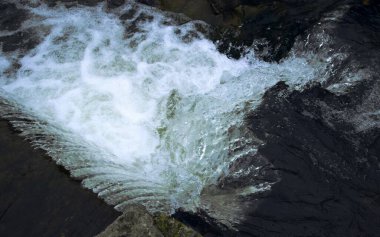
{"points": [[329, 181]]}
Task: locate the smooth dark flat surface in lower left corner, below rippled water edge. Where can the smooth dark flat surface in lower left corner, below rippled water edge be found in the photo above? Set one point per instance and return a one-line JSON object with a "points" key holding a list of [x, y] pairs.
{"points": [[39, 199]]}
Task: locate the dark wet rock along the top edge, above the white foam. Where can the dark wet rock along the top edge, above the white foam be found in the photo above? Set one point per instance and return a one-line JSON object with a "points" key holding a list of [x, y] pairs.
{"points": [[272, 26]]}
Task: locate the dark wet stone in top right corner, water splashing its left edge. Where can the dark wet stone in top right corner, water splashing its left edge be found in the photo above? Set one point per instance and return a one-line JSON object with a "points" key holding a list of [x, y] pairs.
{"points": [[352, 31]]}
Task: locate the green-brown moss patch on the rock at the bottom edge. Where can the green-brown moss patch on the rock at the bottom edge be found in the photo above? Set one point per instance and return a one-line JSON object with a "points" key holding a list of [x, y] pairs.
{"points": [[170, 227]]}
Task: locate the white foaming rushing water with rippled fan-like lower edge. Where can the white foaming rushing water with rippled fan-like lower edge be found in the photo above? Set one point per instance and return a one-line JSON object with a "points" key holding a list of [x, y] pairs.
{"points": [[143, 115]]}
